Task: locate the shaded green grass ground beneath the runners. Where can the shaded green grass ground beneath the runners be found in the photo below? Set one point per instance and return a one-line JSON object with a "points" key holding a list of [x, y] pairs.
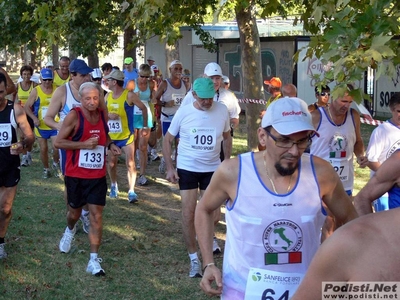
{"points": [[143, 251]]}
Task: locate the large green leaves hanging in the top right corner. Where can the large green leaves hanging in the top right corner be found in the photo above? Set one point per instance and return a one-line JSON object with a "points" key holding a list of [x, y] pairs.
{"points": [[351, 36]]}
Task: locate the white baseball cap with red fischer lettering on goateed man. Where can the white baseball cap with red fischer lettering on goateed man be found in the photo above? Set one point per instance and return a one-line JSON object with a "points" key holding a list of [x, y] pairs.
{"points": [[288, 115]]}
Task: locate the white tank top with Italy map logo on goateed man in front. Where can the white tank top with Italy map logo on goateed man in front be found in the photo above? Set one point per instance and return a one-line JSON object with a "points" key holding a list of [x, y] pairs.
{"points": [[277, 234]]}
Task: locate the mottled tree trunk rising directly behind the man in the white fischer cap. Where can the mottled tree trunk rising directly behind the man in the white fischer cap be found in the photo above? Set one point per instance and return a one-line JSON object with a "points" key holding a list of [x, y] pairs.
{"points": [[251, 66]]}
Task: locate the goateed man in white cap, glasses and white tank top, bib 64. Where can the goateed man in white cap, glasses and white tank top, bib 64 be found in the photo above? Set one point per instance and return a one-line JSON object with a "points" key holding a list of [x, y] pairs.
{"points": [[274, 212]]}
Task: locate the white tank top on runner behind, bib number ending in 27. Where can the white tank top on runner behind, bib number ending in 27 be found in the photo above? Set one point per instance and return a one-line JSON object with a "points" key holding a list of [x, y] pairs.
{"points": [[336, 145]]}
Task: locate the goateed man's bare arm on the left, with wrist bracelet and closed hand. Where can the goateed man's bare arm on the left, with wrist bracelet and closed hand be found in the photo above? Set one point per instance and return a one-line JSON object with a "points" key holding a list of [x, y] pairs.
{"points": [[222, 186]]}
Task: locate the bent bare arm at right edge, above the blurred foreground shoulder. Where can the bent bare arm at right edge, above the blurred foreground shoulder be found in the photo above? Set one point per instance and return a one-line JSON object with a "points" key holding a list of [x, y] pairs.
{"points": [[384, 179]]}
